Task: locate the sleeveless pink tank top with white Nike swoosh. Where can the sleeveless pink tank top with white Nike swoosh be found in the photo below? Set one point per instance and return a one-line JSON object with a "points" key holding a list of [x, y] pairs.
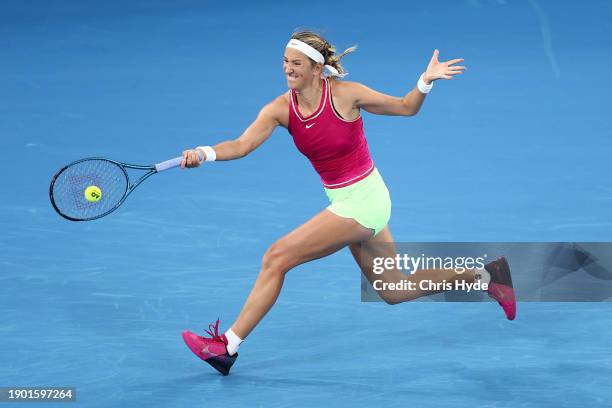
{"points": [[337, 148]]}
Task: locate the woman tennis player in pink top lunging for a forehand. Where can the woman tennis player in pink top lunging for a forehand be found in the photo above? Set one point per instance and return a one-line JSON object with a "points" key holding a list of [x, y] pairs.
{"points": [[322, 114]]}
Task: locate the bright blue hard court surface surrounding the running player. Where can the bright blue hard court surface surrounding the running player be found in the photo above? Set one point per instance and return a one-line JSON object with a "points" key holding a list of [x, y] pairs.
{"points": [[515, 150]]}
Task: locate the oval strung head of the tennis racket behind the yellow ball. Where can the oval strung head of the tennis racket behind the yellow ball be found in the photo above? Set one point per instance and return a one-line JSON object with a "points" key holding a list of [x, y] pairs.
{"points": [[67, 189]]}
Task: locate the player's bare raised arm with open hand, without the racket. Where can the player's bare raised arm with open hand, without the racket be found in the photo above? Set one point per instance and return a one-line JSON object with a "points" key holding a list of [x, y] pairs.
{"points": [[381, 104]]}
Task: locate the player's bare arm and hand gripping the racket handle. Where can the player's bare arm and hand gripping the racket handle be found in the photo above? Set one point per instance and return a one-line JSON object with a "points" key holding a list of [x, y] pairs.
{"points": [[258, 132]]}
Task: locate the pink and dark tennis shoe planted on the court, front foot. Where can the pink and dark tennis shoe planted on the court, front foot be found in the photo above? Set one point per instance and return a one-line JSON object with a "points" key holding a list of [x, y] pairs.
{"points": [[211, 349]]}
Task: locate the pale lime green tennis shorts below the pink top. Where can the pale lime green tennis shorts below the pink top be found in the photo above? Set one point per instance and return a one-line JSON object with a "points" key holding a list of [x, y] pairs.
{"points": [[367, 202]]}
